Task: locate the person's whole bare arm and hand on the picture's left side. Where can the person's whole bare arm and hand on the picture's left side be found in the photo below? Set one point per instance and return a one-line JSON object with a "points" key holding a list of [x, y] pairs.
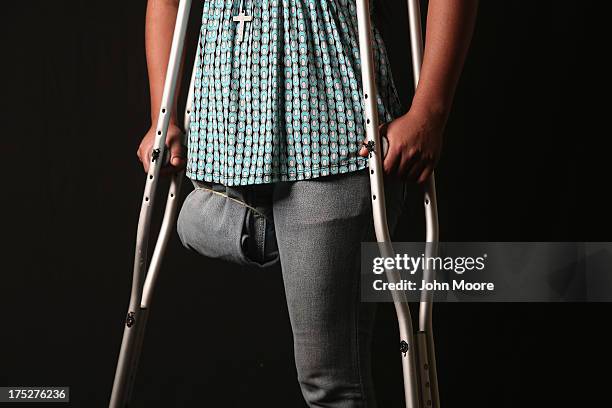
{"points": [[159, 29]]}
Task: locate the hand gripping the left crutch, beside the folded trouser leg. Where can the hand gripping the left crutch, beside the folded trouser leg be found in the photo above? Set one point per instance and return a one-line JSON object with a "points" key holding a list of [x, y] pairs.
{"points": [[174, 147]]}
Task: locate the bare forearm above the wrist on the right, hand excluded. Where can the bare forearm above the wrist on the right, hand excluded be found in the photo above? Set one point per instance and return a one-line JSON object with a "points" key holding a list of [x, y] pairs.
{"points": [[449, 30]]}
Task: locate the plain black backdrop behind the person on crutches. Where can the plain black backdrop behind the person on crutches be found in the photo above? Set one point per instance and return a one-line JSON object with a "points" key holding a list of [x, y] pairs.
{"points": [[524, 160]]}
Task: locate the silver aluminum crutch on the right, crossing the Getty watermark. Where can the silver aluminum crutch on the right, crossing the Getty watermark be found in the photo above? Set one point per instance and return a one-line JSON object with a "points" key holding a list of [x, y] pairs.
{"points": [[419, 358]]}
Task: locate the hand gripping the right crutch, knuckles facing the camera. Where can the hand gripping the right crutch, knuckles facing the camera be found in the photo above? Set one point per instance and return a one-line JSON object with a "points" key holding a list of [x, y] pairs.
{"points": [[415, 144]]}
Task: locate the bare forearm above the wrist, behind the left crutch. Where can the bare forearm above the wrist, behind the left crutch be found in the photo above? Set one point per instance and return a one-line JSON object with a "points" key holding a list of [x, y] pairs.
{"points": [[159, 29]]}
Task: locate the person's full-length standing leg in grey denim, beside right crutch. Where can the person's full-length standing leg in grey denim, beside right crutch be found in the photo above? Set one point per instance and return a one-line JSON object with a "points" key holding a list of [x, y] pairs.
{"points": [[320, 224]]}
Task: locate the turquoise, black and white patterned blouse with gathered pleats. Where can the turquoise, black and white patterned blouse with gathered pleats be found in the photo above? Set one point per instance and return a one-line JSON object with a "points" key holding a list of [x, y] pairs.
{"points": [[277, 92]]}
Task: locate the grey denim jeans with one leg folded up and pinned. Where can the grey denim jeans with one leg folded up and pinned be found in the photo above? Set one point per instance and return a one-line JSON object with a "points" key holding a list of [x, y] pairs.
{"points": [[314, 228]]}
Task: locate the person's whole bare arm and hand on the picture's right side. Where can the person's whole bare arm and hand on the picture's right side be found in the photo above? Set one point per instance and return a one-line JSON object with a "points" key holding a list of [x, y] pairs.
{"points": [[415, 139]]}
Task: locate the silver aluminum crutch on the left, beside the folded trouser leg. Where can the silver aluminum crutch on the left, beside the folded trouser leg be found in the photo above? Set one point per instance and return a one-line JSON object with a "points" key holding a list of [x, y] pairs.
{"points": [[133, 334]]}
